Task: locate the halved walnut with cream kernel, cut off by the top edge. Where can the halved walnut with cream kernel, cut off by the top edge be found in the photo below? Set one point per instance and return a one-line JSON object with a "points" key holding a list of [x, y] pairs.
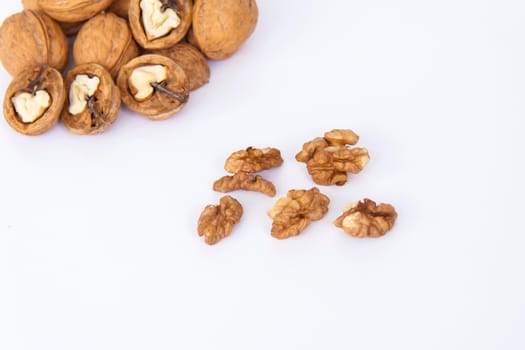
{"points": [[159, 24]]}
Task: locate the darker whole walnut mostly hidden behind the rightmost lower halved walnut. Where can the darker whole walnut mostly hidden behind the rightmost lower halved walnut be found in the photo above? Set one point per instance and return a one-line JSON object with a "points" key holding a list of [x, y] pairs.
{"points": [[191, 60]]}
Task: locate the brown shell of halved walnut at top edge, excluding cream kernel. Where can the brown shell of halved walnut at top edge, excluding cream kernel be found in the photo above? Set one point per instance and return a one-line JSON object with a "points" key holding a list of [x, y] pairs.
{"points": [[183, 8]]}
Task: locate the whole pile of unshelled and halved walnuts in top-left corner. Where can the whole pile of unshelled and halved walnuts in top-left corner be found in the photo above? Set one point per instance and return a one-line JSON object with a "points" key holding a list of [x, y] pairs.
{"points": [[147, 54]]}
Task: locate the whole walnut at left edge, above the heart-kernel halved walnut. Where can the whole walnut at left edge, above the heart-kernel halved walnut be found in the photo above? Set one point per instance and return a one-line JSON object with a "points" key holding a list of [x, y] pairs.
{"points": [[29, 39]]}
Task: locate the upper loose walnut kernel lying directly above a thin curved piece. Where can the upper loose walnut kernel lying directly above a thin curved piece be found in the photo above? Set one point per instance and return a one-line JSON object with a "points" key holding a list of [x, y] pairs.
{"points": [[253, 160]]}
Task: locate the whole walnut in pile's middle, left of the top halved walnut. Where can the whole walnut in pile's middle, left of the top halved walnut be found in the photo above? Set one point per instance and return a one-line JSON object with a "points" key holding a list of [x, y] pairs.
{"points": [[105, 39]]}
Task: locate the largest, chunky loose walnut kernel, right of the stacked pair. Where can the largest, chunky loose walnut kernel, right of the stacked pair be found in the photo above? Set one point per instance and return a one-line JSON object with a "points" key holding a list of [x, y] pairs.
{"points": [[329, 159]]}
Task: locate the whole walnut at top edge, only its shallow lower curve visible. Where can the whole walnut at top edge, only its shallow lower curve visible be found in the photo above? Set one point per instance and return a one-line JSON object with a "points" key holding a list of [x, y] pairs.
{"points": [[73, 10]]}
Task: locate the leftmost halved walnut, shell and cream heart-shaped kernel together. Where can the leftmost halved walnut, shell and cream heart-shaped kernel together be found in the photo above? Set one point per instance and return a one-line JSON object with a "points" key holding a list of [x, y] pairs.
{"points": [[34, 100]]}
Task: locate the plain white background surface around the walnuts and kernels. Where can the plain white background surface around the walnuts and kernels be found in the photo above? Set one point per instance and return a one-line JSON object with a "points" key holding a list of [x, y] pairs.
{"points": [[98, 241]]}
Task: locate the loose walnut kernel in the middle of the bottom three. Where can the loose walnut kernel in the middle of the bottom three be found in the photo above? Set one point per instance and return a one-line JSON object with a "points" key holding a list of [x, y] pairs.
{"points": [[293, 213]]}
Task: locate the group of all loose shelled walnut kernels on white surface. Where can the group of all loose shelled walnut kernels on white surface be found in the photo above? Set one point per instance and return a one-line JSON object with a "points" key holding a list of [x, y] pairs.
{"points": [[328, 159]]}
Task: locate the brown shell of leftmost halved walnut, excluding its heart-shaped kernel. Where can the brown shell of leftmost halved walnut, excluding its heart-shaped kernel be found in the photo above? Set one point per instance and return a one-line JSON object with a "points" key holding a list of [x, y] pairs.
{"points": [[31, 80]]}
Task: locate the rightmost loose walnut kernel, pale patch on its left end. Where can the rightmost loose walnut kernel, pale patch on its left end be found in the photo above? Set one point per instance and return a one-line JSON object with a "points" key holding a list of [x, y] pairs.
{"points": [[366, 219]]}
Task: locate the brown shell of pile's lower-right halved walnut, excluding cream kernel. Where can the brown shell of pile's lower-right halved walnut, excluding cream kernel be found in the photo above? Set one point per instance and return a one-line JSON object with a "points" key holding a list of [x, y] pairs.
{"points": [[161, 105]]}
